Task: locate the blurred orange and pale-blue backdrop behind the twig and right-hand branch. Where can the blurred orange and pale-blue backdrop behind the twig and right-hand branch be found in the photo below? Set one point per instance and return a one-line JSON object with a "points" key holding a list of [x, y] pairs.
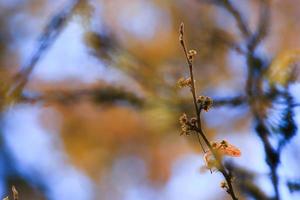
{"points": [[95, 104]]}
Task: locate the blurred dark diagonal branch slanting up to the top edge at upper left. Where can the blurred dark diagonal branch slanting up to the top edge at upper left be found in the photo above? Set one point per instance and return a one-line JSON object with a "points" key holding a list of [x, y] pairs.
{"points": [[46, 39]]}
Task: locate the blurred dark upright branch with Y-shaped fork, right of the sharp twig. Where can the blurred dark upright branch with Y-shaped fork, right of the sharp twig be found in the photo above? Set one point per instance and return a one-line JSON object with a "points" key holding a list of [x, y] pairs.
{"points": [[256, 67]]}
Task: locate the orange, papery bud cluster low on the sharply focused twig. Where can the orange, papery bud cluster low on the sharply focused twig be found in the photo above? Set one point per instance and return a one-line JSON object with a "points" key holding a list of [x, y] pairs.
{"points": [[220, 149]]}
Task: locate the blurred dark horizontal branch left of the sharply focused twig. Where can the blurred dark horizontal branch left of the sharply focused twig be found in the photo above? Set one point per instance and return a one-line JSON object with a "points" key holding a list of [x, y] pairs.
{"points": [[103, 95]]}
